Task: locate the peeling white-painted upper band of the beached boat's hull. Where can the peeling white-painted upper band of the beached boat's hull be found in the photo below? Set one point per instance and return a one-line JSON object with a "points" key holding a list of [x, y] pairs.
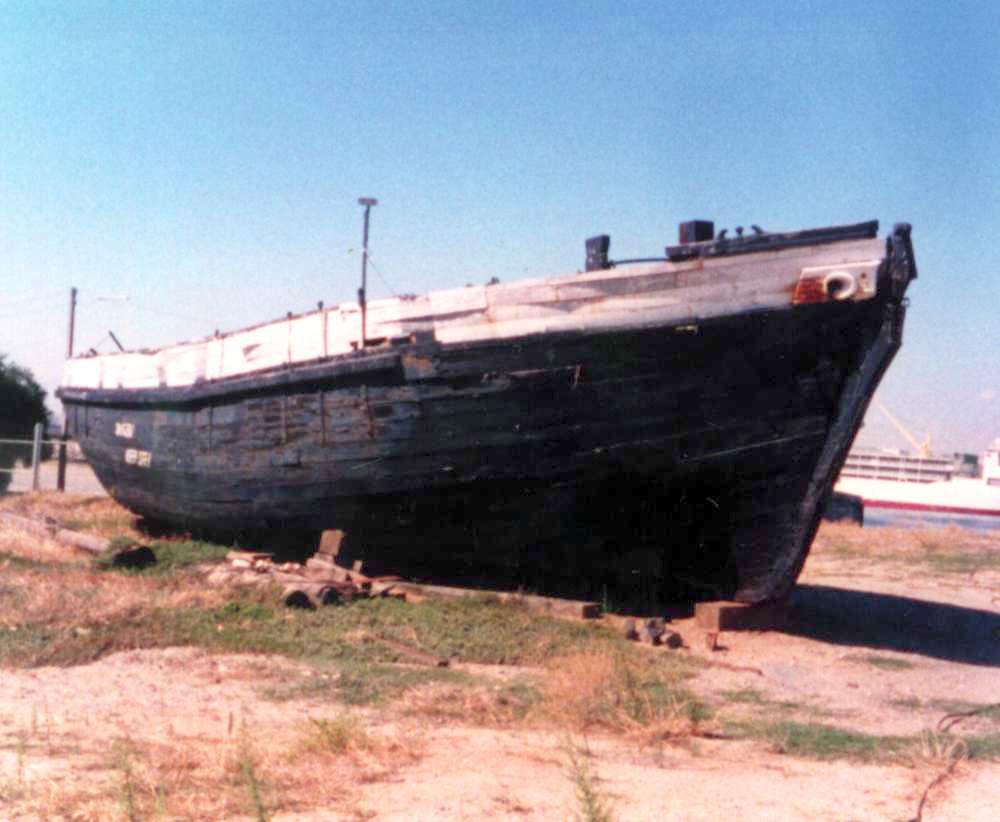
{"points": [[628, 297]]}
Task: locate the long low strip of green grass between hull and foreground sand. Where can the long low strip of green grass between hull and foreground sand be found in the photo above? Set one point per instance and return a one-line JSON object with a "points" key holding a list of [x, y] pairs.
{"points": [[341, 643]]}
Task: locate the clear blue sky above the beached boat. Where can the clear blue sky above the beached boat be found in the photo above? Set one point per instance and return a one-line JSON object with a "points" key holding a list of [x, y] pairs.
{"points": [[204, 159]]}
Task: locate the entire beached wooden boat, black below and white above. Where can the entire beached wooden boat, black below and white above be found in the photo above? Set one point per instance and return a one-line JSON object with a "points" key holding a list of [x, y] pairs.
{"points": [[669, 427]]}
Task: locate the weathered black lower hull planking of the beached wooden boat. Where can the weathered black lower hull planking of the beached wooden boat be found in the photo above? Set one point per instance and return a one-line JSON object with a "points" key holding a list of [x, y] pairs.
{"points": [[675, 459]]}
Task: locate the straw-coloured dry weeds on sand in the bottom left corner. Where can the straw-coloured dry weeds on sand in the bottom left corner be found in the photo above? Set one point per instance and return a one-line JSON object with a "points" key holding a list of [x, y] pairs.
{"points": [[256, 773]]}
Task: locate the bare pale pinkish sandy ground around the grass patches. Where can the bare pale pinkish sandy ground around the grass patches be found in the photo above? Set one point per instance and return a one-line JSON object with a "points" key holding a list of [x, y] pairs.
{"points": [[944, 632]]}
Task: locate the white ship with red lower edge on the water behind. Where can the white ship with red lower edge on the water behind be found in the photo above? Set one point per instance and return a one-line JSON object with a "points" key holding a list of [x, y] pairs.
{"points": [[920, 482]]}
